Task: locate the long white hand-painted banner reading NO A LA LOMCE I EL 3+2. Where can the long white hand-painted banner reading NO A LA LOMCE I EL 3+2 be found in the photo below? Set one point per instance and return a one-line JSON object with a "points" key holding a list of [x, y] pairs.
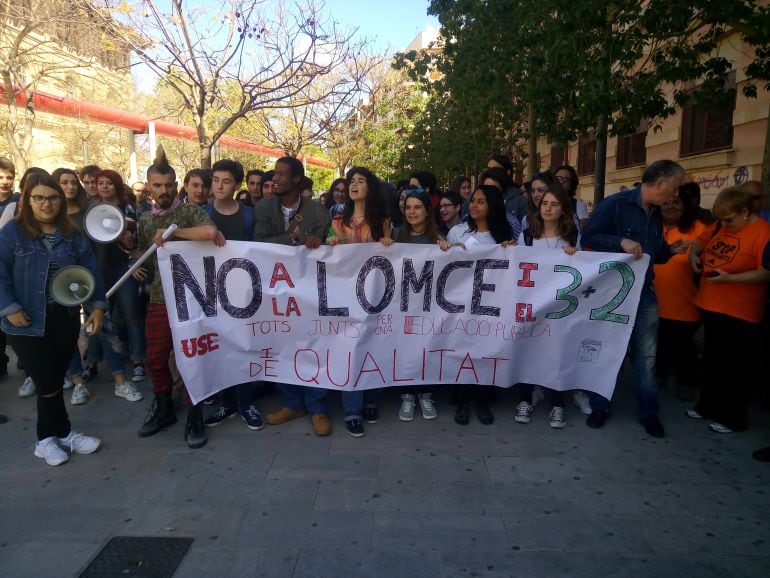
{"points": [[366, 316]]}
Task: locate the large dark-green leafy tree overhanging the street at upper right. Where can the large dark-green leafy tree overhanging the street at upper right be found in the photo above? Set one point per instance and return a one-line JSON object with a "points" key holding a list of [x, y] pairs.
{"points": [[562, 68]]}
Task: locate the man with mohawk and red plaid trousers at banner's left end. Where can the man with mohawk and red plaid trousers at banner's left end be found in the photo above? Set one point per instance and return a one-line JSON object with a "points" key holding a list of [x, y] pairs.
{"points": [[193, 225]]}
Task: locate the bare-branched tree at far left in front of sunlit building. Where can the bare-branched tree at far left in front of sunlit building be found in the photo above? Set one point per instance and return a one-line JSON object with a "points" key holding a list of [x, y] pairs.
{"points": [[57, 45]]}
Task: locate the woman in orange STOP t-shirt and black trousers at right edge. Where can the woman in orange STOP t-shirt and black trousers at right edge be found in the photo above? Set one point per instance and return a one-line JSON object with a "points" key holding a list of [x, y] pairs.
{"points": [[732, 295]]}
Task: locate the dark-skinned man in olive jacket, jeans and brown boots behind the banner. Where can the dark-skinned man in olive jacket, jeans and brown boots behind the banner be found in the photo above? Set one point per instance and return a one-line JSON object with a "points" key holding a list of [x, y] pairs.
{"points": [[287, 218]]}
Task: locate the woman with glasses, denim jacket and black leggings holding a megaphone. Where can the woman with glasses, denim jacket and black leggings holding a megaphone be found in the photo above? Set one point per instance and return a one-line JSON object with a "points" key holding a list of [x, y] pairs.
{"points": [[39, 242]]}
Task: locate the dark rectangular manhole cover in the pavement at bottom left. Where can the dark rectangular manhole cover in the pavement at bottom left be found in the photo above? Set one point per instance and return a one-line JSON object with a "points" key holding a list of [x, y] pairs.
{"points": [[132, 556]]}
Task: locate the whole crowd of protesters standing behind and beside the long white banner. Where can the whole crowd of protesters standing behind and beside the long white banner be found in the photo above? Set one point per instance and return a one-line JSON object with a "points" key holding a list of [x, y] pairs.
{"points": [[708, 270]]}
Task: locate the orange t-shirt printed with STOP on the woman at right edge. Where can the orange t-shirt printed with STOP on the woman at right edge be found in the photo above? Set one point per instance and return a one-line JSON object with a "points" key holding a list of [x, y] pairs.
{"points": [[734, 253]]}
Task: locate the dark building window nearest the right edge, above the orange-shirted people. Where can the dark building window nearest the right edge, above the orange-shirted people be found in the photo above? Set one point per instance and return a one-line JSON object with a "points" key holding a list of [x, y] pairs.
{"points": [[708, 127]]}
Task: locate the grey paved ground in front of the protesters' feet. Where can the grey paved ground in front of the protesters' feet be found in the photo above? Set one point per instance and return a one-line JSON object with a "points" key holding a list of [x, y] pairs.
{"points": [[425, 498]]}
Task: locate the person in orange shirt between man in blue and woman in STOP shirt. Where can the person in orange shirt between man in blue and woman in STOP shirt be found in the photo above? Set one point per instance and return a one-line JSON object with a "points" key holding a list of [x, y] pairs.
{"points": [[676, 291]]}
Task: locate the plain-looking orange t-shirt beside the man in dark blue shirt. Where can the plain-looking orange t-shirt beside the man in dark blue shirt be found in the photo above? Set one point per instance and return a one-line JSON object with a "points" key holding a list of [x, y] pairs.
{"points": [[673, 282]]}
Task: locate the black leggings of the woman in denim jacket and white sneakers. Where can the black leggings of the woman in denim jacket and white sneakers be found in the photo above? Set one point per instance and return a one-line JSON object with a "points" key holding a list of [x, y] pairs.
{"points": [[46, 360]]}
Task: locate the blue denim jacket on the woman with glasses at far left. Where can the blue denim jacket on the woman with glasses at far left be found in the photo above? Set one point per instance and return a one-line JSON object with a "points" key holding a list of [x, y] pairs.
{"points": [[24, 275]]}
